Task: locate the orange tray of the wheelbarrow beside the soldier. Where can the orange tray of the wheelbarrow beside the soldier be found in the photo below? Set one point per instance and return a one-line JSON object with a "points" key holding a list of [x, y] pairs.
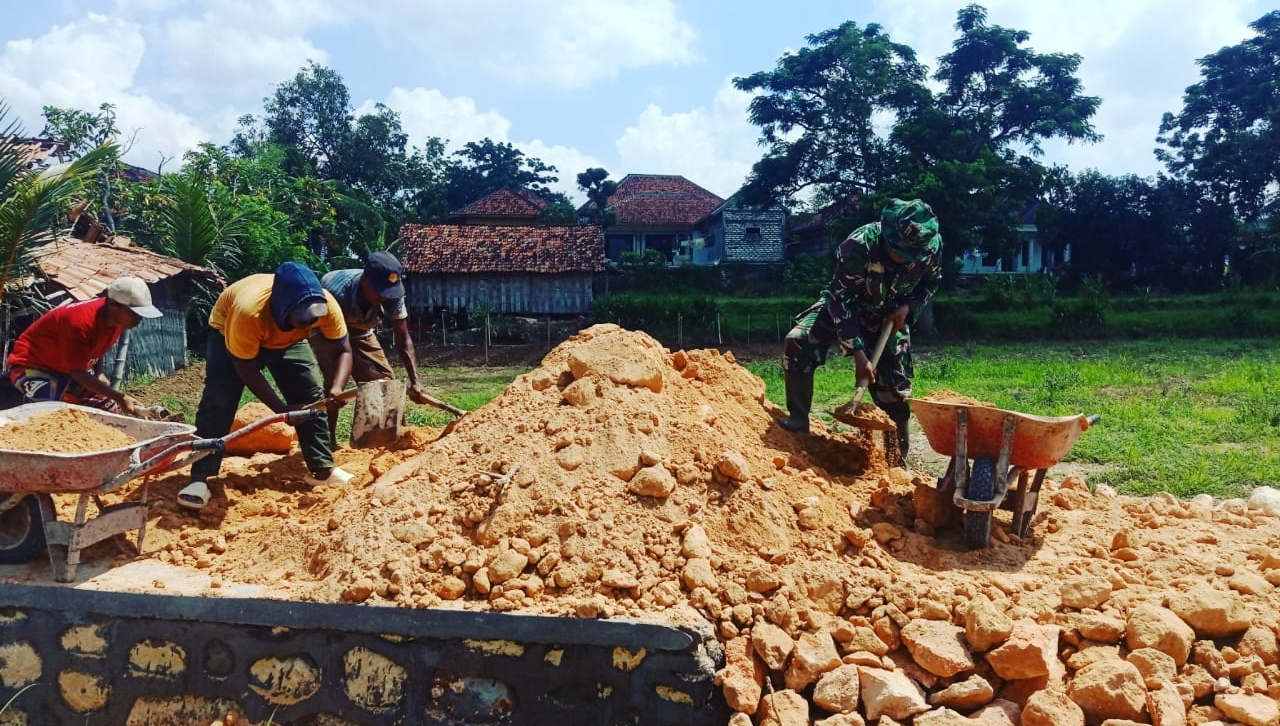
{"points": [[1040, 442]]}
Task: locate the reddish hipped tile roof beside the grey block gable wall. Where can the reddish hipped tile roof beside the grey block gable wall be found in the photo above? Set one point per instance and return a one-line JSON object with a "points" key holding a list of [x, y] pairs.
{"points": [[656, 200]]}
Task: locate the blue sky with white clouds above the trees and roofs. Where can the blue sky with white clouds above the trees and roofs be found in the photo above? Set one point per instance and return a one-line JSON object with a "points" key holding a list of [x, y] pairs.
{"points": [[634, 86]]}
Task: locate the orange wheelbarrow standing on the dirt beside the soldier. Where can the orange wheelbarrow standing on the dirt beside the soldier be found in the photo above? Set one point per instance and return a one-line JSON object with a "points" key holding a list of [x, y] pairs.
{"points": [[1004, 448]]}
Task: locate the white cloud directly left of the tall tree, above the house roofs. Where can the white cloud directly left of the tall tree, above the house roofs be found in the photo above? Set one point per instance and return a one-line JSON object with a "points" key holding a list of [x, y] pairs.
{"points": [[712, 148]]}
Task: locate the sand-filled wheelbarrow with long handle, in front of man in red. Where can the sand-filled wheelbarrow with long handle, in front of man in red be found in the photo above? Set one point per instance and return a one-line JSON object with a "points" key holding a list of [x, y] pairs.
{"points": [[29, 522]]}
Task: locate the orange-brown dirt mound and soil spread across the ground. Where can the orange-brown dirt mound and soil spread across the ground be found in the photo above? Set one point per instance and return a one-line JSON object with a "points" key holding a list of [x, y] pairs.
{"points": [[621, 480]]}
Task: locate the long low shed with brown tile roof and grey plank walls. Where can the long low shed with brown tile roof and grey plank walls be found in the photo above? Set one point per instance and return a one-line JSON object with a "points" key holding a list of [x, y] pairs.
{"points": [[514, 271]]}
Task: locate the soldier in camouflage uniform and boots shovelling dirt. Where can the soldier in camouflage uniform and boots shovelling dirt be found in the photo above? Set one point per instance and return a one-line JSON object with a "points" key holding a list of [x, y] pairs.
{"points": [[886, 272]]}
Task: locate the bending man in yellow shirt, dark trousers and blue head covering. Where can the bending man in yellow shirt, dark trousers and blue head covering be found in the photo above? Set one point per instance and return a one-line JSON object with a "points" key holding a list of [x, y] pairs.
{"points": [[263, 323]]}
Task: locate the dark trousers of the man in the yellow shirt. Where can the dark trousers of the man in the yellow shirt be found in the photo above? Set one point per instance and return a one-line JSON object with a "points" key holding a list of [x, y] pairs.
{"points": [[298, 377]]}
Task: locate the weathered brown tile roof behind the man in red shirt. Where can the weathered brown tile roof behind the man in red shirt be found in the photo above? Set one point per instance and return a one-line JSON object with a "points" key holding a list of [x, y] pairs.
{"points": [[86, 268]]}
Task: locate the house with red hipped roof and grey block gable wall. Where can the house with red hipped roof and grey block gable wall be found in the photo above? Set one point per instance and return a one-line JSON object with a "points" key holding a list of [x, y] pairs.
{"points": [[688, 225]]}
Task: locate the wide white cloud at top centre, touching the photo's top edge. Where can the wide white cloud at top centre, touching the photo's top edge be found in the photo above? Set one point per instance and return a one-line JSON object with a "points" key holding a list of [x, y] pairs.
{"points": [[563, 43]]}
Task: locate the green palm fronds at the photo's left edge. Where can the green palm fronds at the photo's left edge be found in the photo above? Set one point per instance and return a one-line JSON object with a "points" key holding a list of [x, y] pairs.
{"points": [[34, 203]]}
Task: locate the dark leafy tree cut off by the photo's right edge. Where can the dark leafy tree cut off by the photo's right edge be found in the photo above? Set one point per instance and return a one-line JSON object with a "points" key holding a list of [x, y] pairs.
{"points": [[1227, 136]]}
